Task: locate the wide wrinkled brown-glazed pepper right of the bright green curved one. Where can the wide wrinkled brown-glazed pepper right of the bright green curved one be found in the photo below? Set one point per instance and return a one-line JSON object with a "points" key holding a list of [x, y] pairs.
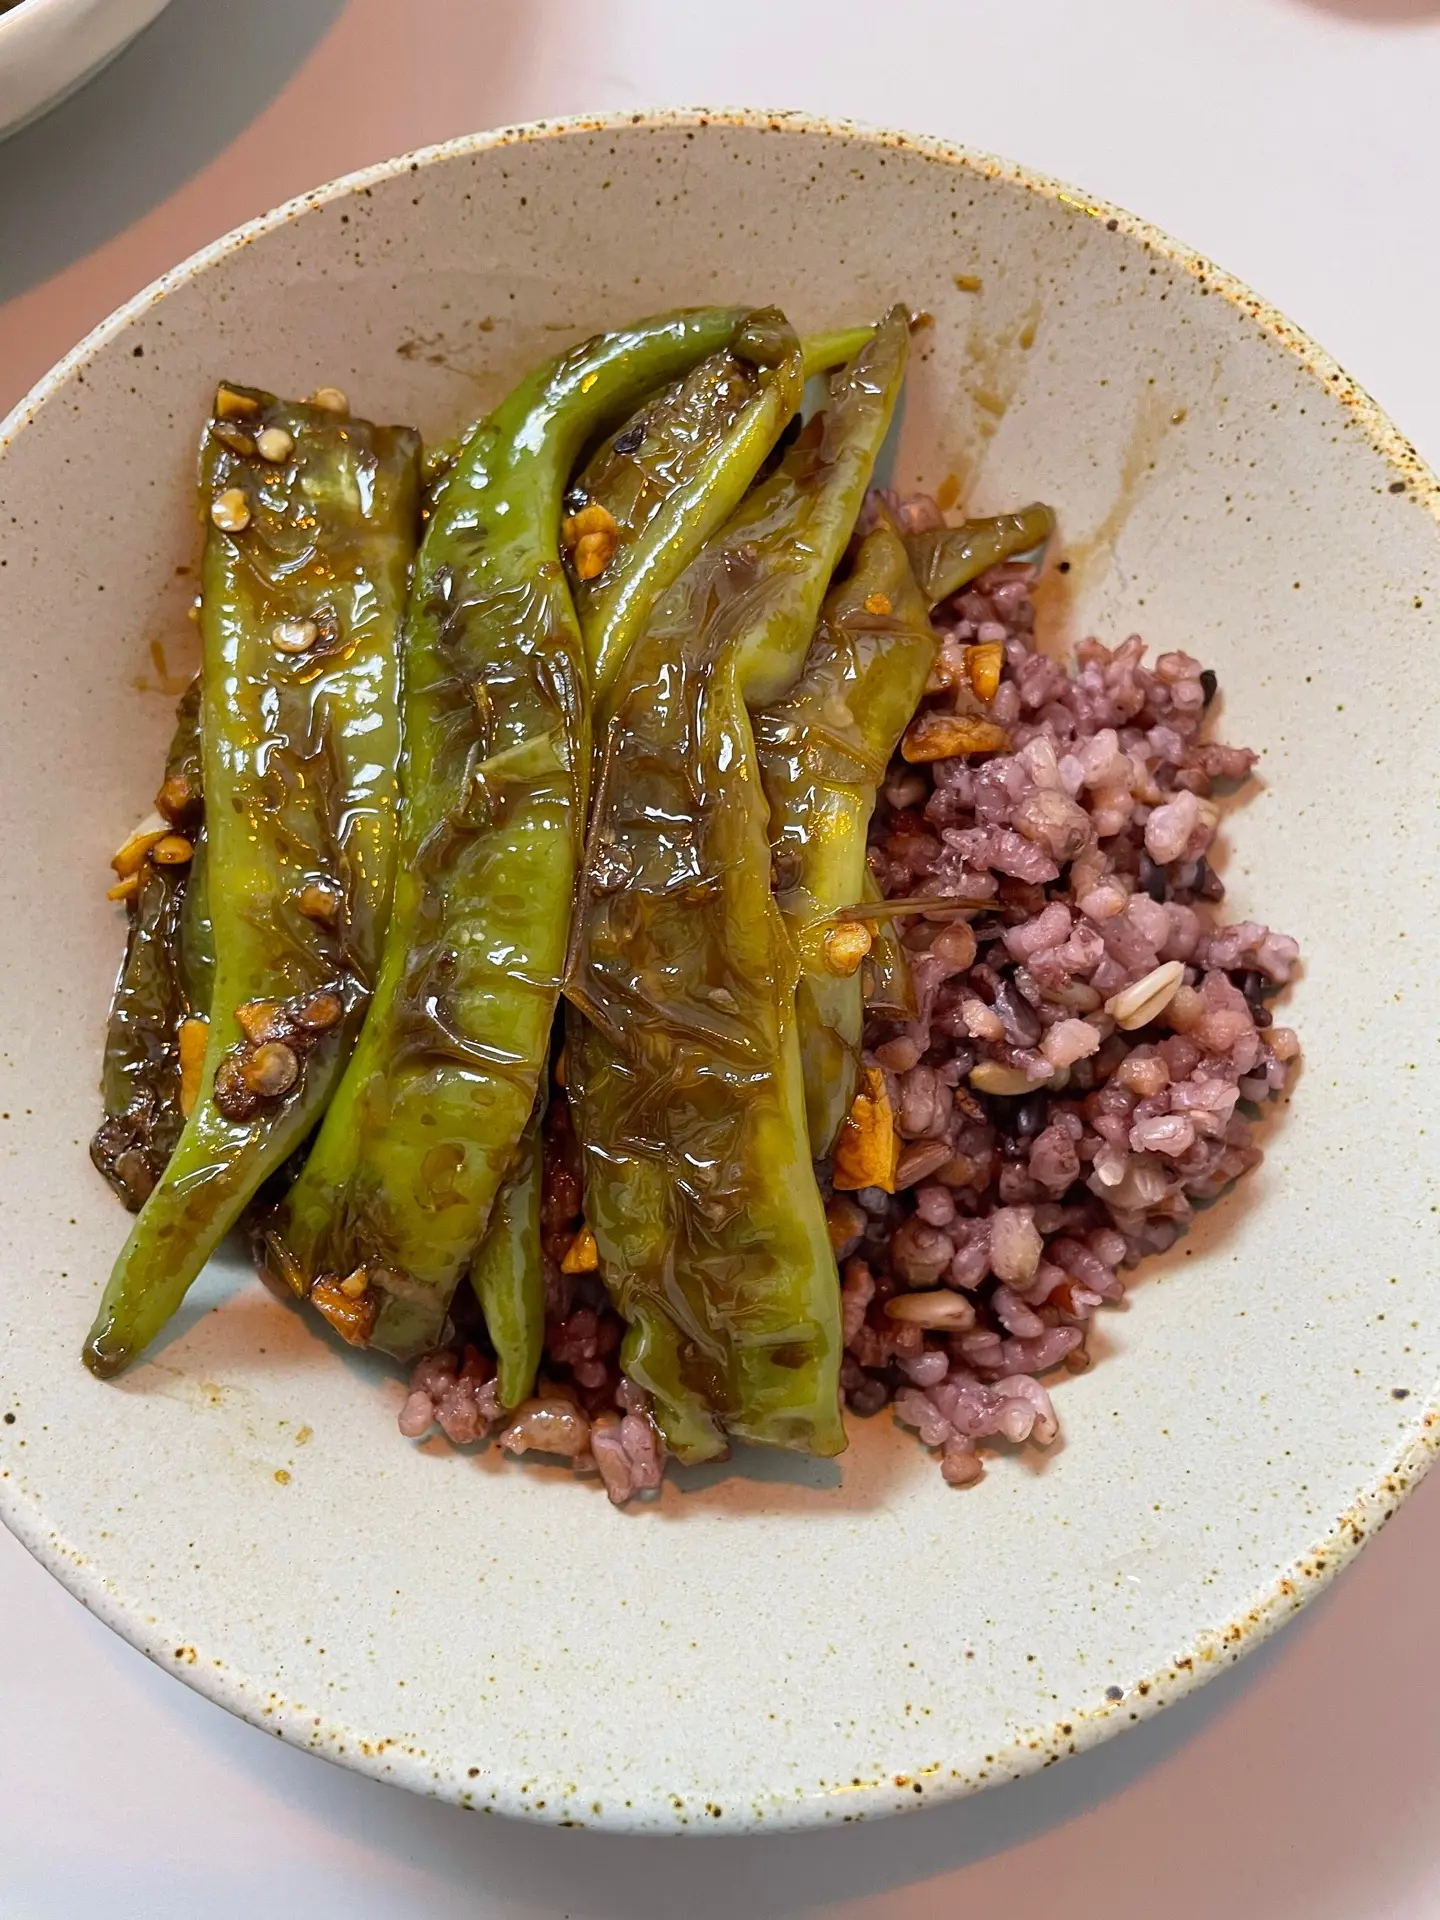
{"points": [[686, 1070]]}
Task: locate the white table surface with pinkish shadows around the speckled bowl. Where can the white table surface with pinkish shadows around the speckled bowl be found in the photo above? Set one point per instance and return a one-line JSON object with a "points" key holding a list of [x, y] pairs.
{"points": [[1297, 143]]}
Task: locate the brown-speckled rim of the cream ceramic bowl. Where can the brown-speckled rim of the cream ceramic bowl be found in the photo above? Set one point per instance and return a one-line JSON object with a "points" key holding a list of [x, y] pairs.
{"points": [[1216, 1646]]}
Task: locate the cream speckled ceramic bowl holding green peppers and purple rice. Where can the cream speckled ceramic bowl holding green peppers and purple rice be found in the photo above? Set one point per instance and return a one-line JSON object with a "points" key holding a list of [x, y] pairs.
{"points": [[777, 1643]]}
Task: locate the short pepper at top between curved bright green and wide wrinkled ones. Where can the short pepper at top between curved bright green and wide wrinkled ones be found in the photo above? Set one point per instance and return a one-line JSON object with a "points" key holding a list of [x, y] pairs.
{"points": [[671, 477]]}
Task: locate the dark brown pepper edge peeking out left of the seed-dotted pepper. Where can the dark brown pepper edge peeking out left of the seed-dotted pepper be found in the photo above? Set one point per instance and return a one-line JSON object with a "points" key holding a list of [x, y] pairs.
{"points": [[141, 1078]]}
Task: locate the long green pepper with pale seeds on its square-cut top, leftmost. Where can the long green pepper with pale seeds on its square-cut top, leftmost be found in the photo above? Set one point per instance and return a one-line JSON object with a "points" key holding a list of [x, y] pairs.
{"points": [[314, 523]]}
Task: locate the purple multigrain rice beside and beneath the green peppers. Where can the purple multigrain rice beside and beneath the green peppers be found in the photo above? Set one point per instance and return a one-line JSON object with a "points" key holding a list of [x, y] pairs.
{"points": [[1013, 1216]]}
